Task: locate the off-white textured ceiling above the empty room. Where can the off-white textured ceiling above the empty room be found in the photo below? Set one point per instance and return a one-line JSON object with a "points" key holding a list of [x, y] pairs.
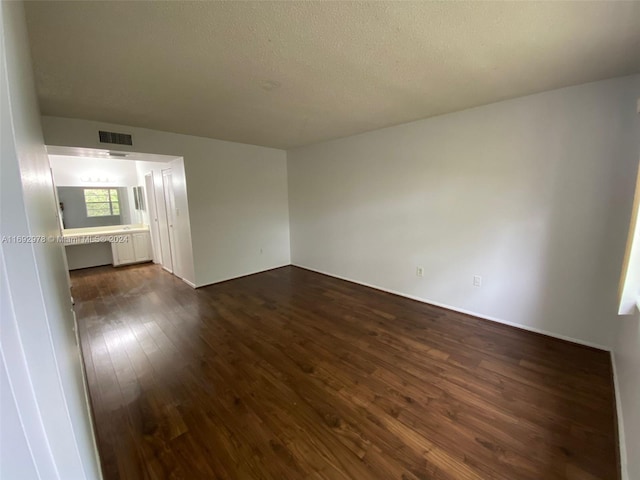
{"points": [[294, 73]]}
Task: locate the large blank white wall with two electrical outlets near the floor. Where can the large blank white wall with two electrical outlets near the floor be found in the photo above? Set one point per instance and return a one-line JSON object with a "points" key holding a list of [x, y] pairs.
{"points": [[533, 194]]}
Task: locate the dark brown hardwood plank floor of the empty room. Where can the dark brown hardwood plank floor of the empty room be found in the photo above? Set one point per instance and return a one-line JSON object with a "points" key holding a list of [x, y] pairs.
{"points": [[289, 374]]}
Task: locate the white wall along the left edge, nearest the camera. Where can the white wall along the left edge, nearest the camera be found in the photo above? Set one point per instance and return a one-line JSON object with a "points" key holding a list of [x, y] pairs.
{"points": [[37, 342]]}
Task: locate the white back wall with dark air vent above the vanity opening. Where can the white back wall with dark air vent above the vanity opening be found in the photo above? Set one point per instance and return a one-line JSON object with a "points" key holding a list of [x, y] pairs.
{"points": [[236, 195]]}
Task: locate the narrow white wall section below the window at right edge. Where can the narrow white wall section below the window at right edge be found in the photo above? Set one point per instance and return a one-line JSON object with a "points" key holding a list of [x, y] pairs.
{"points": [[627, 360]]}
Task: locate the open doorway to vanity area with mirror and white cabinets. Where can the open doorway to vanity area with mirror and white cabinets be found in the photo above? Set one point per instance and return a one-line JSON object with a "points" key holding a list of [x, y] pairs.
{"points": [[158, 215]]}
